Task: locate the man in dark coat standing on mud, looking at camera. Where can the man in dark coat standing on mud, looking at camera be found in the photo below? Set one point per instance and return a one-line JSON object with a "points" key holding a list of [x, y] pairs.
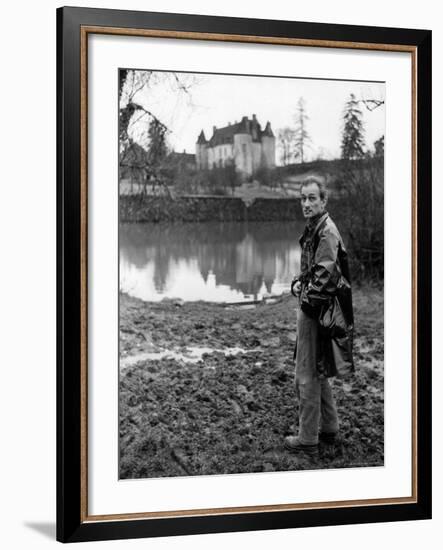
{"points": [[324, 322]]}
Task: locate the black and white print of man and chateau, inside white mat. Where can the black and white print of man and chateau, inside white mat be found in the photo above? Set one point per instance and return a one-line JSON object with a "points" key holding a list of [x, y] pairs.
{"points": [[251, 283]]}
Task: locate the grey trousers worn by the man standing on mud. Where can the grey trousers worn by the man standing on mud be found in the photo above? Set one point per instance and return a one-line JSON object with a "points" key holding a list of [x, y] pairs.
{"points": [[316, 405]]}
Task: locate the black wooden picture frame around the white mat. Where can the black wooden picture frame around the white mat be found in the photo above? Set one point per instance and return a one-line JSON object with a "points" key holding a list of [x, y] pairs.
{"points": [[70, 525]]}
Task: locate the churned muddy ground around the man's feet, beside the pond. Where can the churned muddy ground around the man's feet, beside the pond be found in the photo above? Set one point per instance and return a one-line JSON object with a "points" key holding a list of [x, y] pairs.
{"points": [[208, 389]]}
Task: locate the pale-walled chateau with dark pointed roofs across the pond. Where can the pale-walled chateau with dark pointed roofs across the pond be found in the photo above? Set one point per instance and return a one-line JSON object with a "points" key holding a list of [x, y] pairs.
{"points": [[243, 144]]}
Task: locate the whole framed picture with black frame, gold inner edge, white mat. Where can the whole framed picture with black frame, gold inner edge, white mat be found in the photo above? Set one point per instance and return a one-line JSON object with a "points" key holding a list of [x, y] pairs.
{"points": [[244, 274]]}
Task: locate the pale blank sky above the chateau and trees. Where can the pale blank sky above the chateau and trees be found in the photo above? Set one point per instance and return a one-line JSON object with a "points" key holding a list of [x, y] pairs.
{"points": [[217, 100]]}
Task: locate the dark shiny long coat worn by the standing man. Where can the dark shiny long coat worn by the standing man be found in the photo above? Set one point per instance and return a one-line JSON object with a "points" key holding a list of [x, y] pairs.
{"points": [[326, 294]]}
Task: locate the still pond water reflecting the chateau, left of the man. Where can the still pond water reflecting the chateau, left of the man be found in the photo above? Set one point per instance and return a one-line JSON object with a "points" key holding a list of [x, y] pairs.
{"points": [[208, 261]]}
